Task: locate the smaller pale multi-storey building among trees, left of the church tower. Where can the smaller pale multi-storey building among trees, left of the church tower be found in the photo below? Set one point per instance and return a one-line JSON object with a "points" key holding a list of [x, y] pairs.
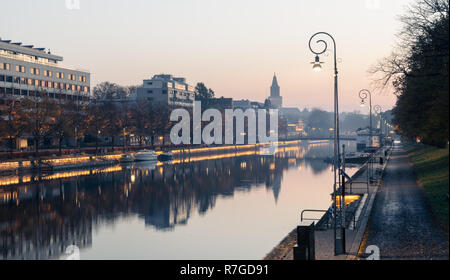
{"points": [[167, 90]]}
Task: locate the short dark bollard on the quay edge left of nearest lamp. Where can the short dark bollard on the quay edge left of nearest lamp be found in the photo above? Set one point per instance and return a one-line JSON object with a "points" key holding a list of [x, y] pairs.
{"points": [[305, 249]]}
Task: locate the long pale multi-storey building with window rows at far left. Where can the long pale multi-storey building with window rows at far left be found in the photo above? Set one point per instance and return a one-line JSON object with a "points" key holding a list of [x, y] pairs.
{"points": [[35, 72]]}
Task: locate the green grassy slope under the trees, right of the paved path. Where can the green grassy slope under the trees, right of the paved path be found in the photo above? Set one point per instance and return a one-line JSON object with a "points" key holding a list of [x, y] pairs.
{"points": [[432, 171]]}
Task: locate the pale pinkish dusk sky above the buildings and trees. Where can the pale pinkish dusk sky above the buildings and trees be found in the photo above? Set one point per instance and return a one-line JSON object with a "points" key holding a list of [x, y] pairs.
{"points": [[233, 46]]}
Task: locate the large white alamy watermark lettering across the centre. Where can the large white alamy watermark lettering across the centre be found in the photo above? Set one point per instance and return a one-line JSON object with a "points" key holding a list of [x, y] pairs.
{"points": [[256, 131]]}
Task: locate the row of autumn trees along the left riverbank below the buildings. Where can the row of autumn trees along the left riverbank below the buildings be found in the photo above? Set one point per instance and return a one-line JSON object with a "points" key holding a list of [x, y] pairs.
{"points": [[41, 118]]}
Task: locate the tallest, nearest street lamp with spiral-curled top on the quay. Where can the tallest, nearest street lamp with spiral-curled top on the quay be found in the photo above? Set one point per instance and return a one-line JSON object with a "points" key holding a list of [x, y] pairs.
{"points": [[339, 243]]}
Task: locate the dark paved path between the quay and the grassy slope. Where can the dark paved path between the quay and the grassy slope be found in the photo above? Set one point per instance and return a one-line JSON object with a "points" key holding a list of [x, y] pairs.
{"points": [[401, 224]]}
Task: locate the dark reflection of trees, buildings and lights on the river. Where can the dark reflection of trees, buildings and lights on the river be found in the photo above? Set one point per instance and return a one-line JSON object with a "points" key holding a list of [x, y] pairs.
{"points": [[39, 219]]}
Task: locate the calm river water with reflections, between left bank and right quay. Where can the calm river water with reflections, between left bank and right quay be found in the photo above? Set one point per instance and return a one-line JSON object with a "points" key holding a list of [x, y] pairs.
{"points": [[214, 207]]}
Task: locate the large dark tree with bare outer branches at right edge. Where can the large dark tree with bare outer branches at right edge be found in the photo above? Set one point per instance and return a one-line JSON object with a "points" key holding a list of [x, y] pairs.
{"points": [[418, 71]]}
